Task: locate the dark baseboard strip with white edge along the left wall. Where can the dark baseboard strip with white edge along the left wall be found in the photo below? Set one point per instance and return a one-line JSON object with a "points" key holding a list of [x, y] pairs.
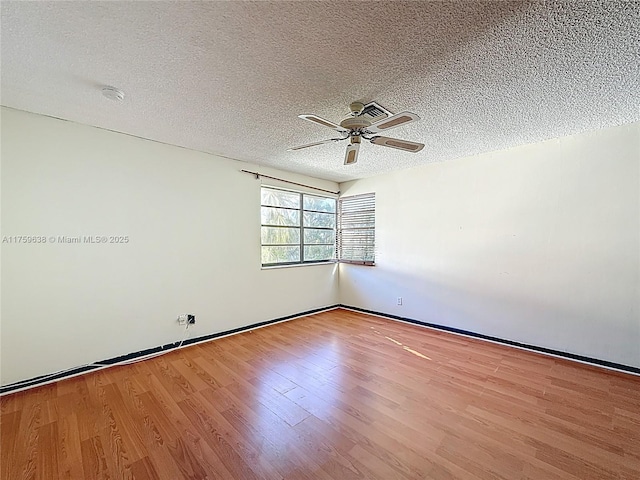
{"points": [[110, 362]]}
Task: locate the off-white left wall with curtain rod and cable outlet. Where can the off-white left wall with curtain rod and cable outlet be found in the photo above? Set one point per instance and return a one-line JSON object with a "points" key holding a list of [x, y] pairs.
{"points": [[193, 224]]}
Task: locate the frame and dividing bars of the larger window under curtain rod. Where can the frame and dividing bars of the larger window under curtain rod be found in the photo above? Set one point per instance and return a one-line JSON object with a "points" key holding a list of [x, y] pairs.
{"points": [[300, 227]]}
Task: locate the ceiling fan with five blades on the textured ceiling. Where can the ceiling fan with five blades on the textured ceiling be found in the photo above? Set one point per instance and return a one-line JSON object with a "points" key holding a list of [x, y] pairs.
{"points": [[357, 126]]}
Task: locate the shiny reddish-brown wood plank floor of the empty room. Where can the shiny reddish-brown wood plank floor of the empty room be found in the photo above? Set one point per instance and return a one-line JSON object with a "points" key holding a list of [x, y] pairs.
{"points": [[337, 395]]}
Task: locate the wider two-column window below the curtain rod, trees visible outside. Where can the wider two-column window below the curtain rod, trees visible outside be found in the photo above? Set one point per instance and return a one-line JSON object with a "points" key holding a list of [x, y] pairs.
{"points": [[297, 227]]}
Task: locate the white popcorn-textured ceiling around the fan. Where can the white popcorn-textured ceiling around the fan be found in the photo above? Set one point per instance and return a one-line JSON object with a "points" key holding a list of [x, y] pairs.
{"points": [[231, 77]]}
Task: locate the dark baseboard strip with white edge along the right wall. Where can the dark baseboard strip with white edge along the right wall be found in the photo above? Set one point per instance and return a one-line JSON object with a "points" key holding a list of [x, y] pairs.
{"points": [[547, 351]]}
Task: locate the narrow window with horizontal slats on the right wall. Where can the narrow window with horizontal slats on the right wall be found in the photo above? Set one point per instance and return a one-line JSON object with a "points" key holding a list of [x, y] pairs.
{"points": [[356, 229]]}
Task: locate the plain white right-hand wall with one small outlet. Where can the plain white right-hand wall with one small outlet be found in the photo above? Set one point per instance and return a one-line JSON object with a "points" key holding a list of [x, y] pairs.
{"points": [[538, 244]]}
